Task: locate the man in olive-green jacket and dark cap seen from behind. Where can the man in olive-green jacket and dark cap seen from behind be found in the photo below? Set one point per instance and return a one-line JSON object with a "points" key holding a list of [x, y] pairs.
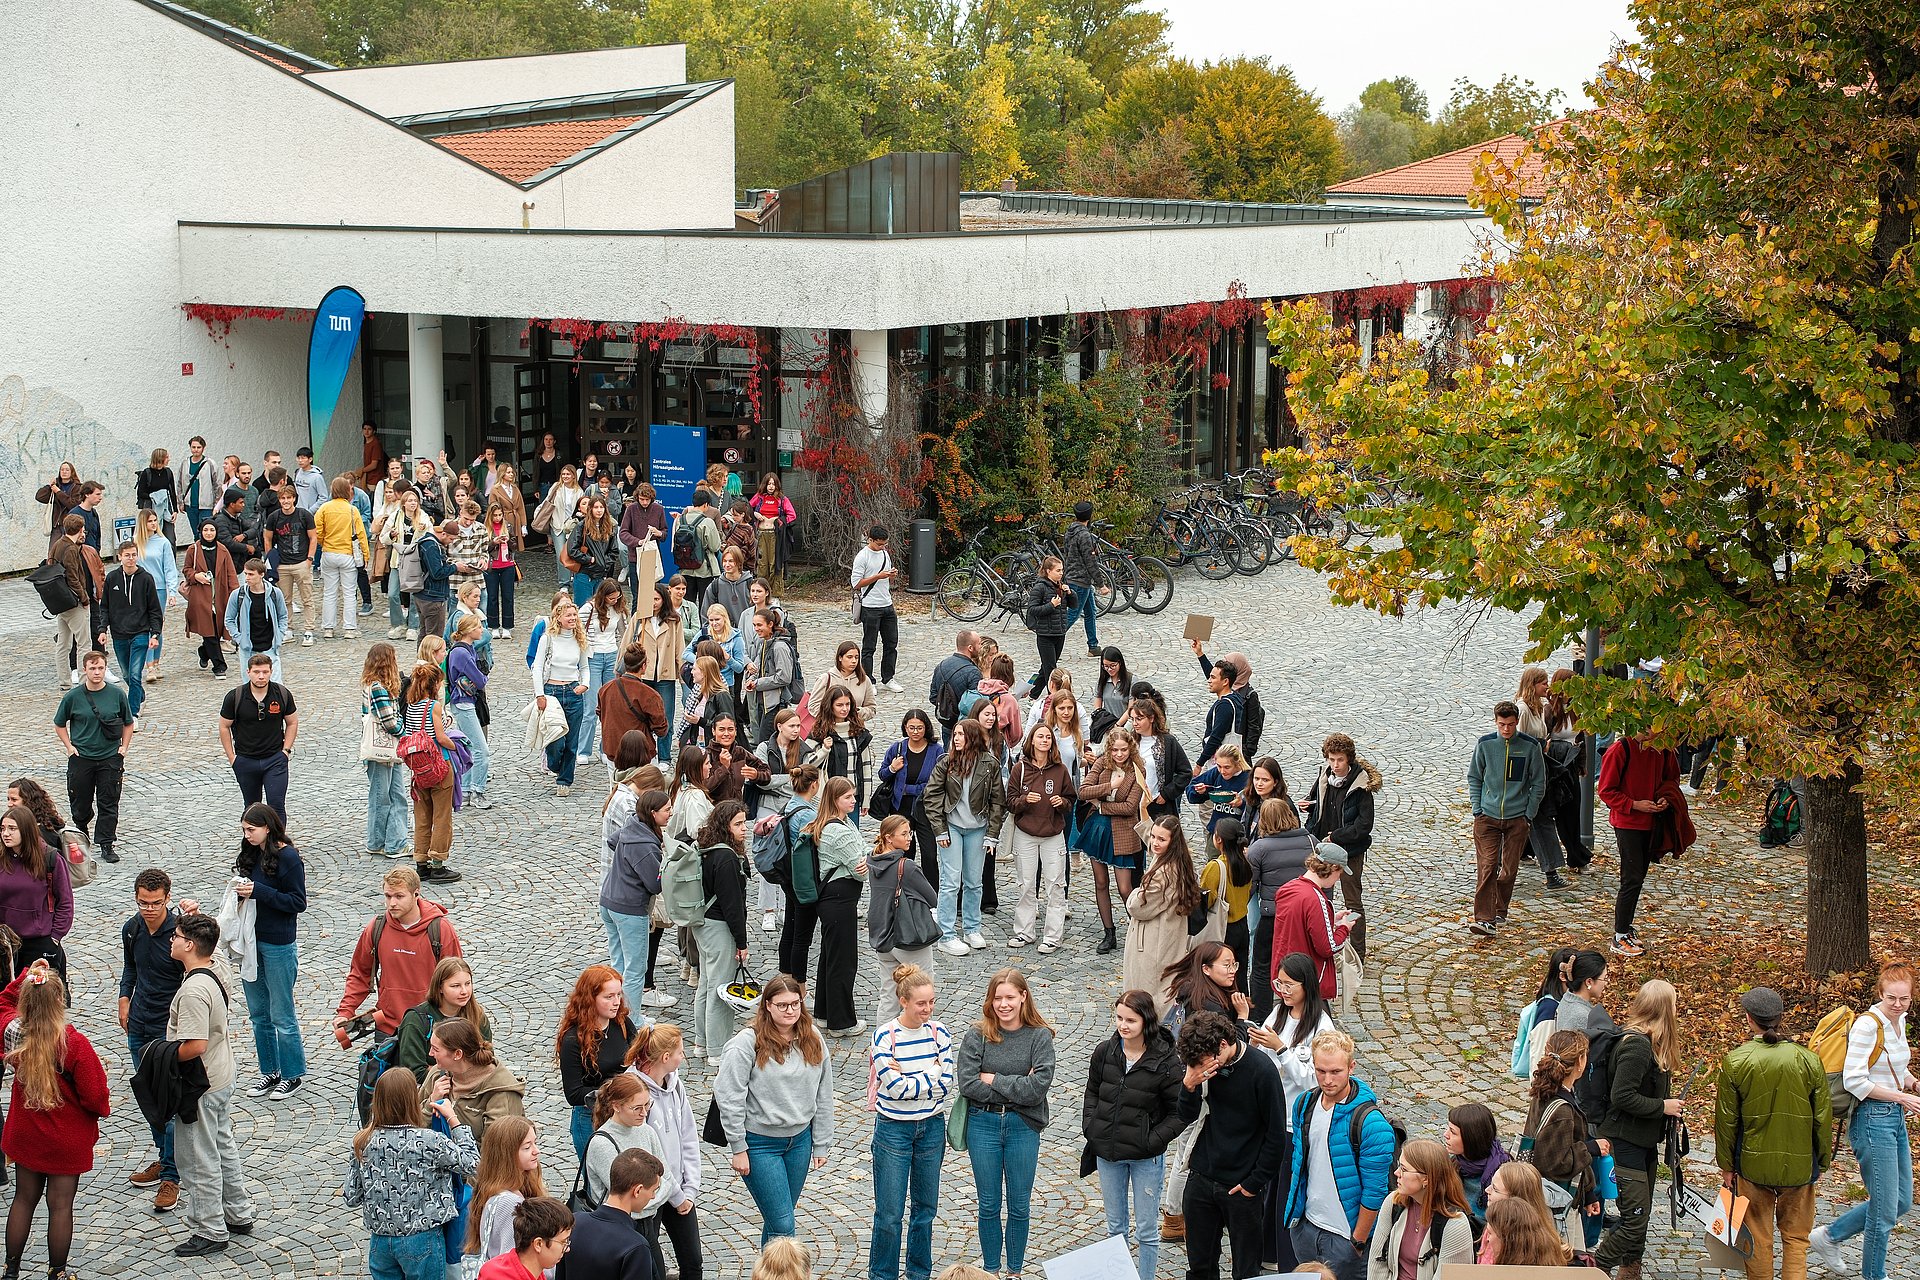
{"points": [[1773, 1133]]}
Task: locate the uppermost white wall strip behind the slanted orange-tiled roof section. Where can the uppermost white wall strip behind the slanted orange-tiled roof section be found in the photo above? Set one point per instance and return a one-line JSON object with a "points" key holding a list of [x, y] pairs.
{"points": [[492, 82]]}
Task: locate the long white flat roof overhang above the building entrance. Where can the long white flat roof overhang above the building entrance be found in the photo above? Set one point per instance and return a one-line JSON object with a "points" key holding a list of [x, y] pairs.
{"points": [[811, 281]]}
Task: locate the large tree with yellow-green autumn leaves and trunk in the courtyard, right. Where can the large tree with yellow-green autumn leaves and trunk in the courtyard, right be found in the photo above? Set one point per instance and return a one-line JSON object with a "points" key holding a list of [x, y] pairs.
{"points": [[1694, 414]]}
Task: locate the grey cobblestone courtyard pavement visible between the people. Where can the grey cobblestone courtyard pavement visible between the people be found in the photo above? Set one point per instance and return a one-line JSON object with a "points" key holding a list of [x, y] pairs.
{"points": [[1435, 1022]]}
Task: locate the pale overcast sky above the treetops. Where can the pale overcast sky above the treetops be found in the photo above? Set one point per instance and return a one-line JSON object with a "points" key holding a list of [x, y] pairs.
{"points": [[1341, 49]]}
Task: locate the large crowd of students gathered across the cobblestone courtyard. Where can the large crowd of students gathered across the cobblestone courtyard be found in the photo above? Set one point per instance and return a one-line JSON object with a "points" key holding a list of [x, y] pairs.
{"points": [[1224, 1106]]}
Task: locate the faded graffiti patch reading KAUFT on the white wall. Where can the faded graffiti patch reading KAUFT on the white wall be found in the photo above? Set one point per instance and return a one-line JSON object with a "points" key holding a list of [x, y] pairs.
{"points": [[39, 431]]}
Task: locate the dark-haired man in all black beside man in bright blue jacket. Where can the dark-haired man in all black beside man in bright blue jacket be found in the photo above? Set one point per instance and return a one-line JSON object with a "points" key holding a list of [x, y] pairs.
{"points": [[1239, 1149]]}
